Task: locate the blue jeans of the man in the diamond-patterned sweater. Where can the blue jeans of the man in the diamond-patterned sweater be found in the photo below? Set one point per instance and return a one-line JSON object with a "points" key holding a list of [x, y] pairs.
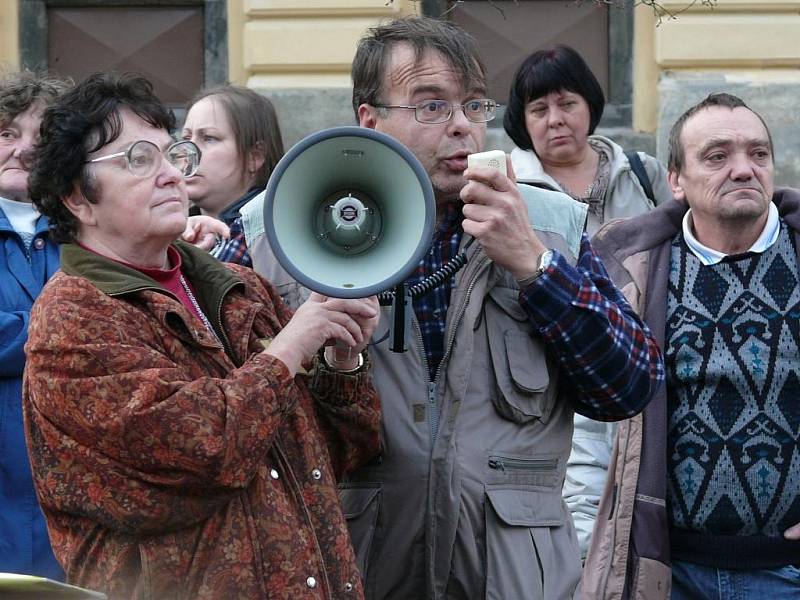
{"points": [[698, 582]]}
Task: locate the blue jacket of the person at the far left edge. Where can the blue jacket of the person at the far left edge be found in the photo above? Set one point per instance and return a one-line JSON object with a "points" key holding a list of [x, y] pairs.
{"points": [[24, 544]]}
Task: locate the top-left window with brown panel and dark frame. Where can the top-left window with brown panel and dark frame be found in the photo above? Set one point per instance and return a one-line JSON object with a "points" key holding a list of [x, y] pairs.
{"points": [[179, 45]]}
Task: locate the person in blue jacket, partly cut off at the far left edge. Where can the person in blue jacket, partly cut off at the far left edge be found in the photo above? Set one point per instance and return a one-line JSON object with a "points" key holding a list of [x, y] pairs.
{"points": [[28, 259]]}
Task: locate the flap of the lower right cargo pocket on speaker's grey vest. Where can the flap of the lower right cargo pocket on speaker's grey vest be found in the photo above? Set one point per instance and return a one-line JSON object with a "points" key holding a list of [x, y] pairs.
{"points": [[527, 508]]}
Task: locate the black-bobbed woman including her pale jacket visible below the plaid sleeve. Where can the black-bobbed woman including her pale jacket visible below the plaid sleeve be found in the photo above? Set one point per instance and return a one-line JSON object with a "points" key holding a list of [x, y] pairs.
{"points": [[554, 106]]}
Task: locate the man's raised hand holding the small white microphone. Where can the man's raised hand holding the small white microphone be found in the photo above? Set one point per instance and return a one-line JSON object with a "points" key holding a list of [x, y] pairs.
{"points": [[496, 215]]}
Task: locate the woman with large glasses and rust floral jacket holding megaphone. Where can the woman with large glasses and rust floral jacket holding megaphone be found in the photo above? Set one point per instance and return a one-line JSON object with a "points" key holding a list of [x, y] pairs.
{"points": [[186, 431]]}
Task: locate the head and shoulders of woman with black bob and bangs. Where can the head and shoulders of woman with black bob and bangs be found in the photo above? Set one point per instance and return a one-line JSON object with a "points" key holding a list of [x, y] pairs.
{"points": [[554, 106]]}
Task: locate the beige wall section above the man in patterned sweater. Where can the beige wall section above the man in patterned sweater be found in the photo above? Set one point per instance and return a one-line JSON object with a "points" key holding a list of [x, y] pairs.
{"points": [[742, 40]]}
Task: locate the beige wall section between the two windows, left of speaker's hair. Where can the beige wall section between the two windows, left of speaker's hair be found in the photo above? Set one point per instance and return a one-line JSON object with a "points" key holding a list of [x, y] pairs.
{"points": [[300, 43]]}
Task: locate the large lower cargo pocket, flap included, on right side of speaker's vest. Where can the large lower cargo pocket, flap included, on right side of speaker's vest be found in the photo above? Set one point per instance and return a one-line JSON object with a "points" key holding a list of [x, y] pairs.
{"points": [[522, 560]]}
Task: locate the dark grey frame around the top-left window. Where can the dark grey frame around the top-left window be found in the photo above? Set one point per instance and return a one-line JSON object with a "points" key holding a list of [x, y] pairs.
{"points": [[33, 31]]}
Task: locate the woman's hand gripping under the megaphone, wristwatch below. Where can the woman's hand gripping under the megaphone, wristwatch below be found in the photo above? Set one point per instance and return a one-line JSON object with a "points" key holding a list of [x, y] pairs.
{"points": [[321, 320]]}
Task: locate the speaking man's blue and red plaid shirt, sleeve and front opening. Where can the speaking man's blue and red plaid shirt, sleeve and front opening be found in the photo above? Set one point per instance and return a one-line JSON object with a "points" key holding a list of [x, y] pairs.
{"points": [[606, 353]]}
